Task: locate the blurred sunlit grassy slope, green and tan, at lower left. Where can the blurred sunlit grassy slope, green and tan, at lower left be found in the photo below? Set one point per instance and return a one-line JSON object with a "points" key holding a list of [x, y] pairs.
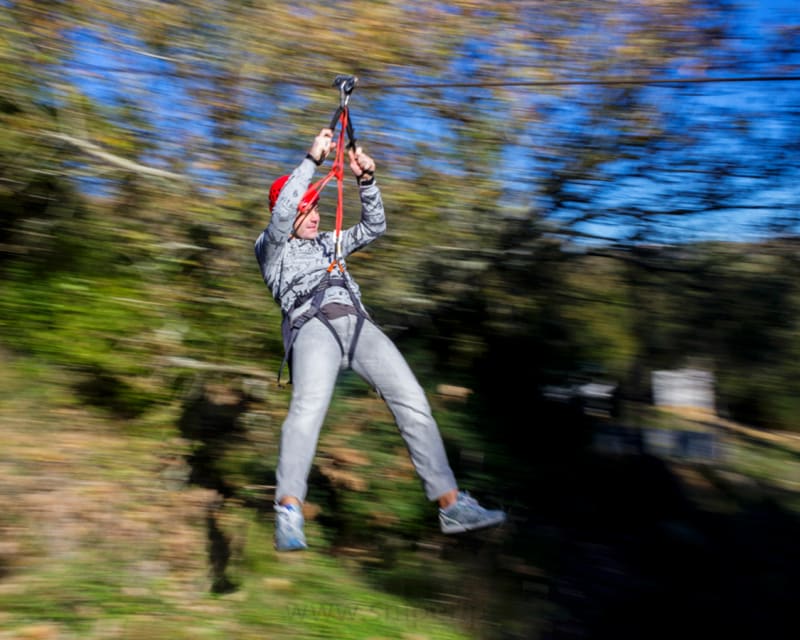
{"points": [[95, 544]]}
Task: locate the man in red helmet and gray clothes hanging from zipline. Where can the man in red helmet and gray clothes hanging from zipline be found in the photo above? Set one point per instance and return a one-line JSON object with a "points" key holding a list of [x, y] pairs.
{"points": [[326, 330]]}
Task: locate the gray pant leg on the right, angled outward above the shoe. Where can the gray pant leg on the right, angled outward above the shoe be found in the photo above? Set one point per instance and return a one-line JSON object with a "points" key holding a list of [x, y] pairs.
{"points": [[380, 363]]}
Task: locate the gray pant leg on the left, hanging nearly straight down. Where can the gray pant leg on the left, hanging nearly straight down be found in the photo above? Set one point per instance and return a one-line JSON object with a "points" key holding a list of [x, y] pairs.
{"points": [[316, 362]]}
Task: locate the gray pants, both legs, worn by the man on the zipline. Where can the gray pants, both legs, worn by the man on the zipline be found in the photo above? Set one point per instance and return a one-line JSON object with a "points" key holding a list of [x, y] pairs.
{"points": [[317, 361]]}
